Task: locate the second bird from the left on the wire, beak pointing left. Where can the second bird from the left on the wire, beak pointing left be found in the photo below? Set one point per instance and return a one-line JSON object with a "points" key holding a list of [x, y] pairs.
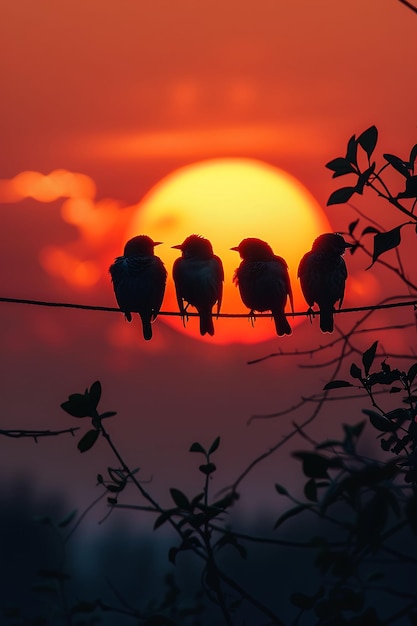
{"points": [[198, 277]]}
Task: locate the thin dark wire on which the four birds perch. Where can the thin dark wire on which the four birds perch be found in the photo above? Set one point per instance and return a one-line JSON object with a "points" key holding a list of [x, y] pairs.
{"points": [[88, 307]]}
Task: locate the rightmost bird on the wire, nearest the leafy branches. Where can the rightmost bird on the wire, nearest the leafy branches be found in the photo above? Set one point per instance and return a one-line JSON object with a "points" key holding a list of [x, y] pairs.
{"points": [[323, 273]]}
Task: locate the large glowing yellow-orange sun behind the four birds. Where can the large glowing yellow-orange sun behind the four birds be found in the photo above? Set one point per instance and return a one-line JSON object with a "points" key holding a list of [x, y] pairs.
{"points": [[227, 200]]}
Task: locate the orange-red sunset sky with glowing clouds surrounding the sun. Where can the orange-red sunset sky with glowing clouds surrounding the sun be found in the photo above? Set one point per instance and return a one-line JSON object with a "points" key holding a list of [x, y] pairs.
{"points": [[116, 97]]}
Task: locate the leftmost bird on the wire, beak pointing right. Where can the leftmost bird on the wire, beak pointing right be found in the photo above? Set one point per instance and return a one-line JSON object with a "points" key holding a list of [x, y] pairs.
{"points": [[139, 278]]}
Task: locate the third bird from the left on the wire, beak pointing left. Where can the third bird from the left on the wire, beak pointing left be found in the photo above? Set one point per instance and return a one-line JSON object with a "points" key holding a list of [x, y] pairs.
{"points": [[263, 281]]}
